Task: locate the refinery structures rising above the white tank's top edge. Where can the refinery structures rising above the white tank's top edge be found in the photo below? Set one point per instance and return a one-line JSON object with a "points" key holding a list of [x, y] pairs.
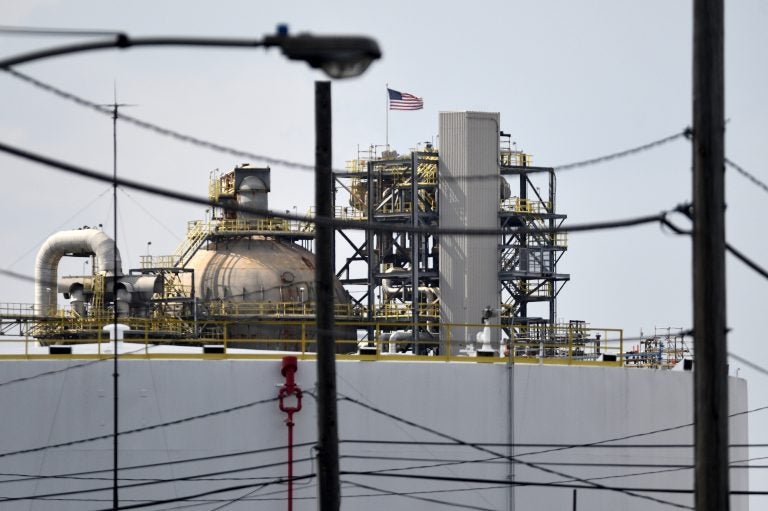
{"points": [[246, 280]]}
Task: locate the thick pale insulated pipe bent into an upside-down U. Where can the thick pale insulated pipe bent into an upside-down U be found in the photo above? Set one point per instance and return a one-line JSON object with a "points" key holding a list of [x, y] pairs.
{"points": [[83, 242]]}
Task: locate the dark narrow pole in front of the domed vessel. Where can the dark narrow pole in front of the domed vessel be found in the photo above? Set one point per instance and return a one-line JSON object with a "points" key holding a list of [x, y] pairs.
{"points": [[327, 423]]}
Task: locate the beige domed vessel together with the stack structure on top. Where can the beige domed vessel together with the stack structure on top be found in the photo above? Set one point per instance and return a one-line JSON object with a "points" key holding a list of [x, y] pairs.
{"points": [[253, 283]]}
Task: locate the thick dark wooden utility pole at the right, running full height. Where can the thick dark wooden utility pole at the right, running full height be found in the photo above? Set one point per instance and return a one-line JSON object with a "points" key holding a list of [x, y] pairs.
{"points": [[709, 321]]}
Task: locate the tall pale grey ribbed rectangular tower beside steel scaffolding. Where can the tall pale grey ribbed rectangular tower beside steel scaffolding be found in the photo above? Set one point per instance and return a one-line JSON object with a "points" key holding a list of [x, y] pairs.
{"points": [[469, 265]]}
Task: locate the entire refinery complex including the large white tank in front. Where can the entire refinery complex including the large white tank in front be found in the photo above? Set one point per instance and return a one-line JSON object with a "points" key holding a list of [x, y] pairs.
{"points": [[457, 387]]}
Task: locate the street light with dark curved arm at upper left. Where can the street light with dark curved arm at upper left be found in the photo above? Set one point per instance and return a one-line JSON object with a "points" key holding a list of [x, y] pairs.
{"points": [[337, 56]]}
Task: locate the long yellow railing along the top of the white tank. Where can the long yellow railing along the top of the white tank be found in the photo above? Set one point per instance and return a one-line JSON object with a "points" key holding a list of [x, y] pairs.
{"points": [[377, 340]]}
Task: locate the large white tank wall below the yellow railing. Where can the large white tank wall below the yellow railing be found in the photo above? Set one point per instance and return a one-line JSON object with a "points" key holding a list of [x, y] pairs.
{"points": [[467, 401]]}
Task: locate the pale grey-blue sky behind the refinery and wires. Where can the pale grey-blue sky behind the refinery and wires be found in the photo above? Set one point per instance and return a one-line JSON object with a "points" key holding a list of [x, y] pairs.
{"points": [[571, 81]]}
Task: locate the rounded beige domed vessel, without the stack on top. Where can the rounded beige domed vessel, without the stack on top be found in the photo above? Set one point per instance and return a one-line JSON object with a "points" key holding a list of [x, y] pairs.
{"points": [[263, 290]]}
